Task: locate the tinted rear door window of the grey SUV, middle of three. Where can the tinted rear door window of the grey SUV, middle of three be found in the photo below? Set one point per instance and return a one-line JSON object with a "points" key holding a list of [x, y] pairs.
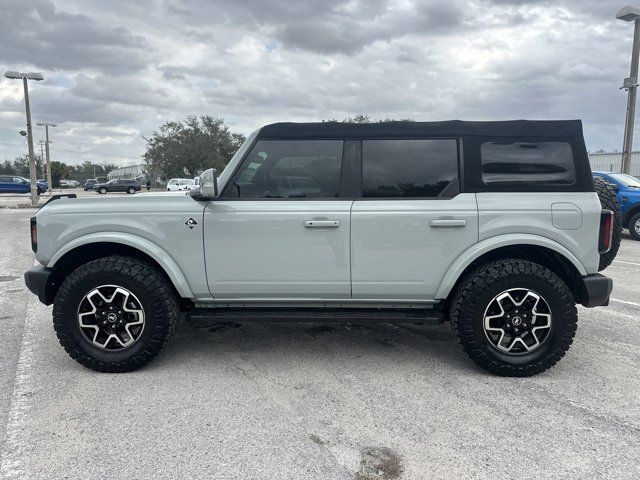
{"points": [[409, 168]]}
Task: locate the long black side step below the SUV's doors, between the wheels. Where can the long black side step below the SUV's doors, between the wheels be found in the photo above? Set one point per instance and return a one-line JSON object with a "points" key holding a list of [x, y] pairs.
{"points": [[208, 316]]}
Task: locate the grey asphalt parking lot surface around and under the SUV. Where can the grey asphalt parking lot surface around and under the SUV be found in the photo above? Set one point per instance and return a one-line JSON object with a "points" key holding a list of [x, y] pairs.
{"points": [[322, 401]]}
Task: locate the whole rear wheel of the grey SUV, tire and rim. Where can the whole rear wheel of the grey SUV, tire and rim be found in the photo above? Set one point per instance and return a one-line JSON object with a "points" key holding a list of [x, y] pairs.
{"points": [[514, 317]]}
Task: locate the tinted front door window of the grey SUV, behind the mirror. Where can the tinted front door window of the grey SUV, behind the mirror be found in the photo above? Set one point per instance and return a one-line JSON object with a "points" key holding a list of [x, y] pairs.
{"points": [[289, 169]]}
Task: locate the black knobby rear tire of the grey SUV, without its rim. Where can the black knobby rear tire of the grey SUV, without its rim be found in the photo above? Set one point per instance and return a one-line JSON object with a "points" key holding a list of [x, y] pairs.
{"points": [[478, 289]]}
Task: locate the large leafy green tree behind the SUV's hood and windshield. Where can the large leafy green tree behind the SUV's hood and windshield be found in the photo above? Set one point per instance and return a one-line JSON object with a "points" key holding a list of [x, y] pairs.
{"points": [[180, 149]]}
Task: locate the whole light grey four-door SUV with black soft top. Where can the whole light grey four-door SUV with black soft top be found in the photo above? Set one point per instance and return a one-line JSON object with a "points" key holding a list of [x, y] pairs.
{"points": [[494, 226]]}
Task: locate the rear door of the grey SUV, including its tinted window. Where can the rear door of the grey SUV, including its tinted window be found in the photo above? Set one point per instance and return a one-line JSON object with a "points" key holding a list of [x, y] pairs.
{"points": [[412, 221]]}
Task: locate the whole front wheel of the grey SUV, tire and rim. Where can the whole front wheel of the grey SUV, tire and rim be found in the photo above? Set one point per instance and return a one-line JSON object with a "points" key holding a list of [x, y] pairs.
{"points": [[115, 314]]}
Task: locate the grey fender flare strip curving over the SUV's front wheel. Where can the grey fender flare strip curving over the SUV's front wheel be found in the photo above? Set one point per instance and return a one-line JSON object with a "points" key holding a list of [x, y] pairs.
{"points": [[165, 261]]}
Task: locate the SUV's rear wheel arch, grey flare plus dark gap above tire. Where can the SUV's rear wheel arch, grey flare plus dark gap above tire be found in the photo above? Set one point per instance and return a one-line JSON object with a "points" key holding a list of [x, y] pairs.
{"points": [[541, 250]]}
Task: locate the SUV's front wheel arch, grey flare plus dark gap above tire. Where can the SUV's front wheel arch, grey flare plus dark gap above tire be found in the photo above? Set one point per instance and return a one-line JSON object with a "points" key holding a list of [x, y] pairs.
{"points": [[89, 247]]}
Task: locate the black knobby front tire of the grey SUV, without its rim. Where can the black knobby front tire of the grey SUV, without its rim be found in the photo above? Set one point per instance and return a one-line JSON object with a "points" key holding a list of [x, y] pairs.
{"points": [[156, 296]]}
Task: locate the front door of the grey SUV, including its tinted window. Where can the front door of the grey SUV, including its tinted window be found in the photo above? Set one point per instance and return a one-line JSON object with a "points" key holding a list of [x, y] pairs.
{"points": [[279, 229]]}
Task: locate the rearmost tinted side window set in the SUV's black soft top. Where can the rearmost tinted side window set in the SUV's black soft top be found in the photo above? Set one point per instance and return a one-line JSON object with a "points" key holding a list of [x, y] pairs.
{"points": [[542, 163]]}
